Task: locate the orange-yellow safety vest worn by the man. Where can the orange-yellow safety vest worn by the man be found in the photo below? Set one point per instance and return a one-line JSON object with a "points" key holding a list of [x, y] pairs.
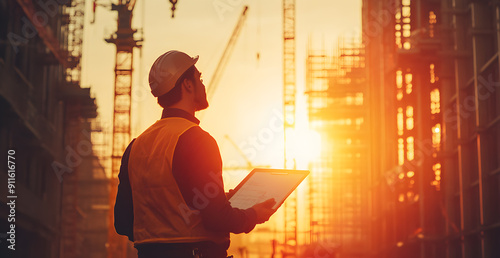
{"points": [[160, 213]]}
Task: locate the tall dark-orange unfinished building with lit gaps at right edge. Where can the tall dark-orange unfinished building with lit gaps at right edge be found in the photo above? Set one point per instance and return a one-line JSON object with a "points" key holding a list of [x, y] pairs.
{"points": [[433, 73]]}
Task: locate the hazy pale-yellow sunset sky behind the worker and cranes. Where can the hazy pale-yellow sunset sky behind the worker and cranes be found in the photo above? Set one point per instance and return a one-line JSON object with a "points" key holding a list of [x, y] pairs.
{"points": [[247, 105]]}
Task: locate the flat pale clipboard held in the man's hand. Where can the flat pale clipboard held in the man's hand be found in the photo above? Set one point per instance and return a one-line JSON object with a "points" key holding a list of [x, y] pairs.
{"points": [[263, 184]]}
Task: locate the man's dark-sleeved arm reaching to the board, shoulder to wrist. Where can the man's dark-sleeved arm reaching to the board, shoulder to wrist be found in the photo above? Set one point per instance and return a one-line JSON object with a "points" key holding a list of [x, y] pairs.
{"points": [[197, 168]]}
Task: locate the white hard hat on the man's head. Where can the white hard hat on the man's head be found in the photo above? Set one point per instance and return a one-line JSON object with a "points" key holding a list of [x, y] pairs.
{"points": [[167, 69]]}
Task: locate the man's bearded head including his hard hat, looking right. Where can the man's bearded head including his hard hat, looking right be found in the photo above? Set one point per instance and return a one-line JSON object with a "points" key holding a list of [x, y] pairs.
{"points": [[174, 79]]}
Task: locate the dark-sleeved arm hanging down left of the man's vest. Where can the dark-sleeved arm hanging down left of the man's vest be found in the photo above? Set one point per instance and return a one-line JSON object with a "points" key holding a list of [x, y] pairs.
{"points": [[124, 208]]}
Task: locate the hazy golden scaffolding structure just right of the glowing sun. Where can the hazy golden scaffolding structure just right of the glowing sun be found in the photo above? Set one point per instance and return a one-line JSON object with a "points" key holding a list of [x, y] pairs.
{"points": [[338, 203]]}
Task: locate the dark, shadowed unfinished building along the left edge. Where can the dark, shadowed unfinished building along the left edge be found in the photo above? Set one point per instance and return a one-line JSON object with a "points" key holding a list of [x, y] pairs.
{"points": [[59, 188]]}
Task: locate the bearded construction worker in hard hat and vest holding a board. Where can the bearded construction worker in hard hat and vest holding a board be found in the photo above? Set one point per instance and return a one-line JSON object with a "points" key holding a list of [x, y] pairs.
{"points": [[171, 201]]}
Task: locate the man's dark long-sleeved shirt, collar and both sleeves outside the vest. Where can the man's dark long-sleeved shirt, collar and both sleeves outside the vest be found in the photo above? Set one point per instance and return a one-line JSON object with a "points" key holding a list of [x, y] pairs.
{"points": [[197, 169]]}
